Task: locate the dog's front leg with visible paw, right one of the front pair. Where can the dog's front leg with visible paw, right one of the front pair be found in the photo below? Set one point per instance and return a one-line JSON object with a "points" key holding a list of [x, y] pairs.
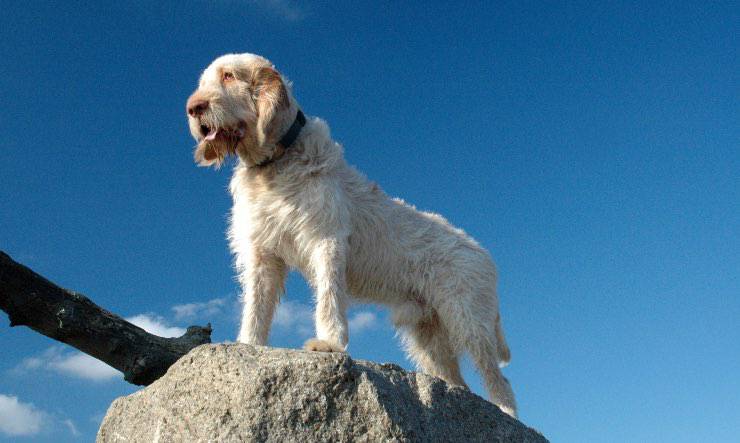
{"points": [[328, 264]]}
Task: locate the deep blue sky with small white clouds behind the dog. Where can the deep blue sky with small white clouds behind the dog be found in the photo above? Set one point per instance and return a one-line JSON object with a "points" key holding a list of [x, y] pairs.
{"points": [[593, 149]]}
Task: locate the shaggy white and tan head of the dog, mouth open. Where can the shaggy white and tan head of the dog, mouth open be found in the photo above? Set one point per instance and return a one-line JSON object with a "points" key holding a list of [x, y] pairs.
{"points": [[242, 106]]}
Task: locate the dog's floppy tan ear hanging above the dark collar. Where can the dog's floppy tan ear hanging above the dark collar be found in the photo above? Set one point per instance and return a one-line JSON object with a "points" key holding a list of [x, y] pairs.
{"points": [[271, 97]]}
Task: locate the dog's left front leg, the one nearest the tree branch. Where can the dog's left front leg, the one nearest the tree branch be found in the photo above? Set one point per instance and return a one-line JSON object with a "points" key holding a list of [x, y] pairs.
{"points": [[262, 276]]}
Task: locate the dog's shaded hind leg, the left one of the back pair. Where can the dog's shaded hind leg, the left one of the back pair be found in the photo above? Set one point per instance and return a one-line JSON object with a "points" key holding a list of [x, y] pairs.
{"points": [[427, 343]]}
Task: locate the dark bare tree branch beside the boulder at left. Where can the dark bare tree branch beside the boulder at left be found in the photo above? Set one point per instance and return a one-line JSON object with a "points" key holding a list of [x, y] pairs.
{"points": [[31, 300]]}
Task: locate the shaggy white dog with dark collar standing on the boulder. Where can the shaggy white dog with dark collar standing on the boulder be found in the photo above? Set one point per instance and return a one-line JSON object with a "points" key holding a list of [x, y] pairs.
{"points": [[297, 204]]}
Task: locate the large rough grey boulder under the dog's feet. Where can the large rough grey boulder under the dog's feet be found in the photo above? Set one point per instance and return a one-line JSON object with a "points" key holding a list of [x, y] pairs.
{"points": [[236, 392]]}
